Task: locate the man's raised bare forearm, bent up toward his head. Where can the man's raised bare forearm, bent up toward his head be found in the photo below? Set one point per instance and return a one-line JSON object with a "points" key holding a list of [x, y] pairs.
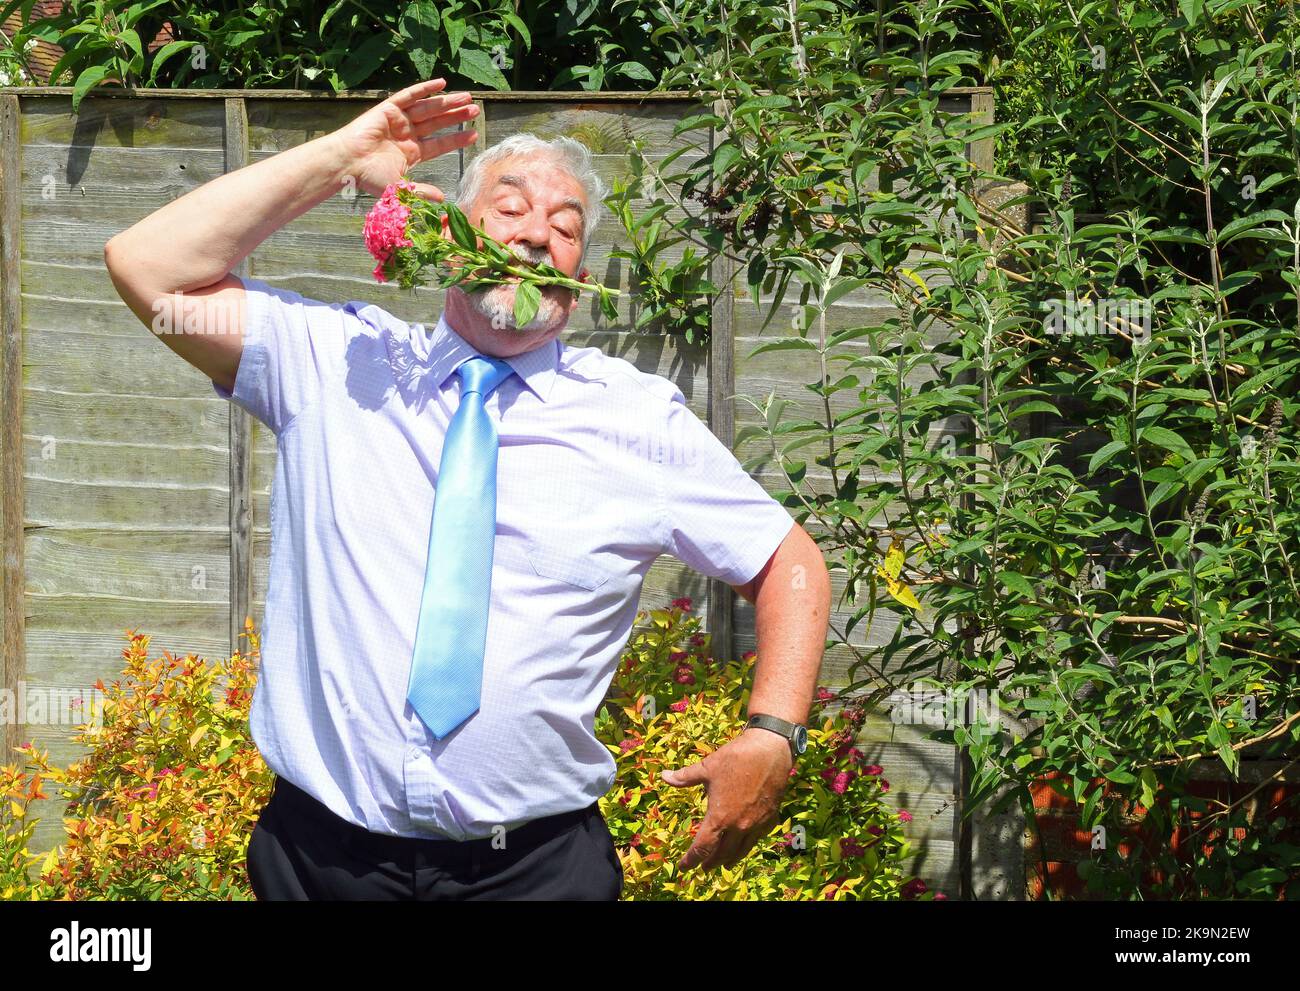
{"points": [[201, 237]]}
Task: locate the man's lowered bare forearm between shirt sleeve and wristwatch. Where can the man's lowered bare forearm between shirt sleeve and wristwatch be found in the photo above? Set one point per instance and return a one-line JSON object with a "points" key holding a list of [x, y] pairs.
{"points": [[792, 612]]}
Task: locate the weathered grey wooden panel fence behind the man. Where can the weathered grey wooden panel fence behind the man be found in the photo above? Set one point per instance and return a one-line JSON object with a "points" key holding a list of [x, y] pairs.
{"points": [[133, 497]]}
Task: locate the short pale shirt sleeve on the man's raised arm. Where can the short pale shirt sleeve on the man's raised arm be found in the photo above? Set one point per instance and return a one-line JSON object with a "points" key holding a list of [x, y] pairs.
{"points": [[292, 348]]}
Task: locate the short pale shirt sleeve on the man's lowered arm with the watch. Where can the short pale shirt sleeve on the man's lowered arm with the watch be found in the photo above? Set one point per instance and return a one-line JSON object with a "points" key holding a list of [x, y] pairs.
{"points": [[717, 518]]}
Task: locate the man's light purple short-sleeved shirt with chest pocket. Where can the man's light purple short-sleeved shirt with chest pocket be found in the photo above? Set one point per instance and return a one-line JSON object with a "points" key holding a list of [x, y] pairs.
{"points": [[601, 470]]}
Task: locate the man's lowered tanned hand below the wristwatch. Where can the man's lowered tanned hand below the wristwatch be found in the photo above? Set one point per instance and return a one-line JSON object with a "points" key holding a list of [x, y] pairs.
{"points": [[744, 782]]}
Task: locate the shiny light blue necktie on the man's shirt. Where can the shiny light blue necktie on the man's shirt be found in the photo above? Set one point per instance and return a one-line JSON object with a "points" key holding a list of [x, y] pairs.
{"points": [[448, 664]]}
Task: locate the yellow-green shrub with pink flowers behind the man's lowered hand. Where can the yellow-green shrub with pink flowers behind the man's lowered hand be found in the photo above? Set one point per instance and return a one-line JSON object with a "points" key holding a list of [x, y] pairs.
{"points": [[840, 841]]}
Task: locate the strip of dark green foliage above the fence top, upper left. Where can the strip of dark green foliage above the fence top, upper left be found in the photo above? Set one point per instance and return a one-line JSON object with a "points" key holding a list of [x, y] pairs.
{"points": [[496, 45]]}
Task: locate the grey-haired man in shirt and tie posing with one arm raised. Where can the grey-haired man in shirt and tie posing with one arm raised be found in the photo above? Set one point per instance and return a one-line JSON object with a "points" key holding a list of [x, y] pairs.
{"points": [[462, 520]]}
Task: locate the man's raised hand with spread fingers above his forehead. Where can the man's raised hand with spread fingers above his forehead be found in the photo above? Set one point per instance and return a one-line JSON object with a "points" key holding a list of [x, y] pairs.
{"points": [[391, 139]]}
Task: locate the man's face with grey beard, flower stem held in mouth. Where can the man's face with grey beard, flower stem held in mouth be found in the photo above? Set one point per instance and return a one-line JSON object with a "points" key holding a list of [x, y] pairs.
{"points": [[536, 209]]}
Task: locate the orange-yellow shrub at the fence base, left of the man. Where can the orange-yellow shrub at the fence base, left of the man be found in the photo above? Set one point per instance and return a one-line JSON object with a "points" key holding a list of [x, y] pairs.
{"points": [[164, 802]]}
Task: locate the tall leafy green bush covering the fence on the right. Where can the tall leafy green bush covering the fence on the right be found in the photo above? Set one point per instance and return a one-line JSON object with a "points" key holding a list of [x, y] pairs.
{"points": [[1051, 462]]}
